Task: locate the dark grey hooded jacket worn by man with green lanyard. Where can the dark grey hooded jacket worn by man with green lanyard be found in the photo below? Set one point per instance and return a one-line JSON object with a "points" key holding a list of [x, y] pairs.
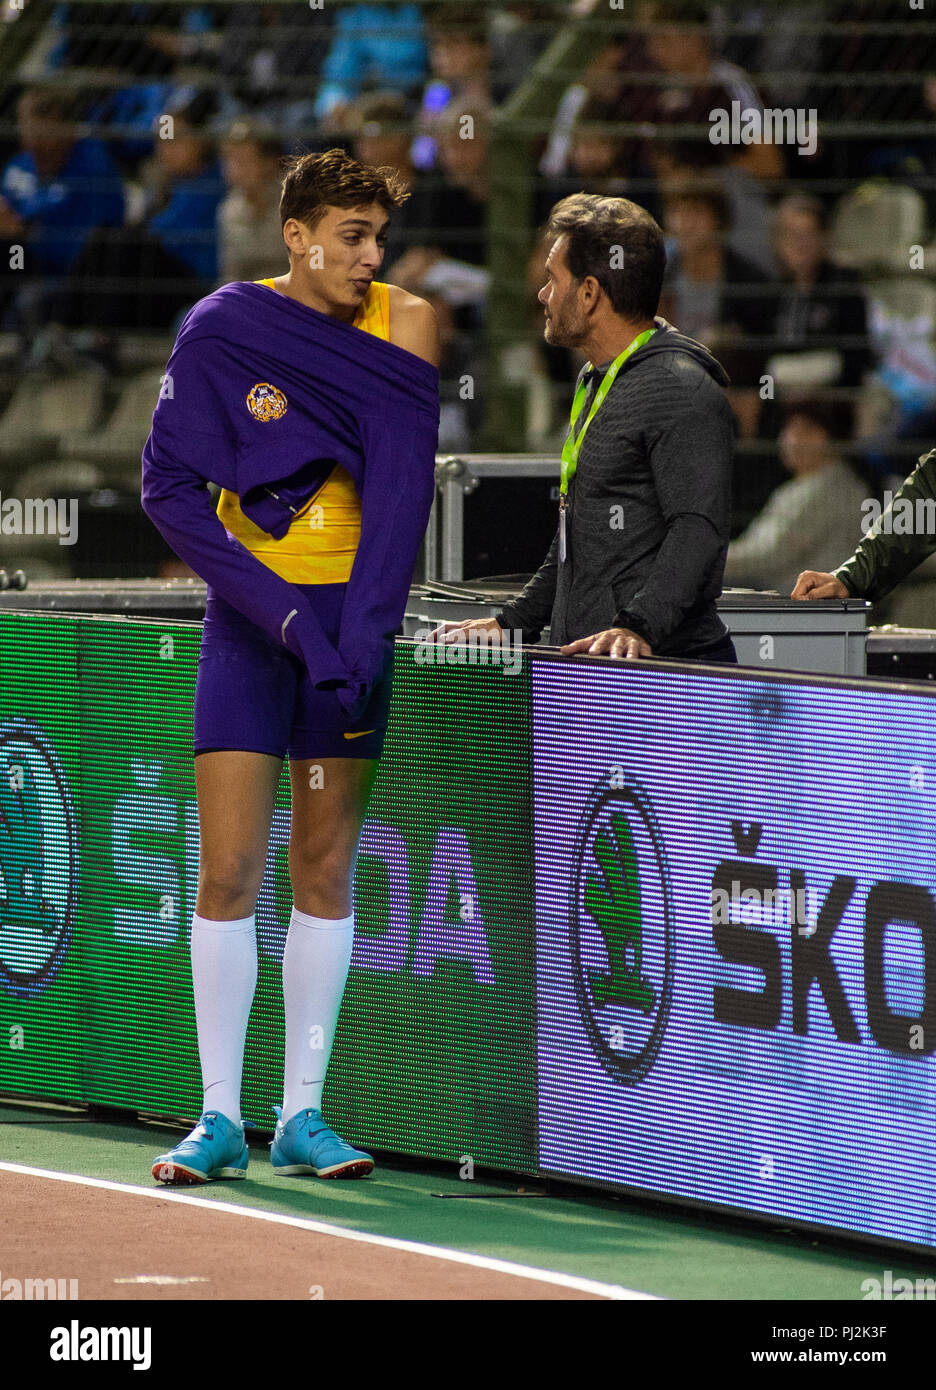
{"points": [[650, 508]]}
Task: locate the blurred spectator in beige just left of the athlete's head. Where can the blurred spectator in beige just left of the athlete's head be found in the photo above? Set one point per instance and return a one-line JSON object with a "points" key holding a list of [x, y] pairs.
{"points": [[251, 243]]}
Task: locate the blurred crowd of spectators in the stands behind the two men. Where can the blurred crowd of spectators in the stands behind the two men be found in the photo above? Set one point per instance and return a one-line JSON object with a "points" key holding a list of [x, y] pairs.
{"points": [[141, 169]]}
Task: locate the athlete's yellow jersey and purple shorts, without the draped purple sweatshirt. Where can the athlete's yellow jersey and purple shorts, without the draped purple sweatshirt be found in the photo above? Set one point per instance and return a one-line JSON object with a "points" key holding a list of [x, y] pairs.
{"points": [[255, 696]]}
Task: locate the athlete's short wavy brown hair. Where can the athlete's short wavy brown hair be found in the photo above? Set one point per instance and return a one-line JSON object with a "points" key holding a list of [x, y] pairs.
{"points": [[315, 183]]}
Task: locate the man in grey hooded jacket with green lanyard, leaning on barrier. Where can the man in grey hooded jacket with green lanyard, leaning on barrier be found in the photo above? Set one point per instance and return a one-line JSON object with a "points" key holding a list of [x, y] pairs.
{"points": [[636, 565]]}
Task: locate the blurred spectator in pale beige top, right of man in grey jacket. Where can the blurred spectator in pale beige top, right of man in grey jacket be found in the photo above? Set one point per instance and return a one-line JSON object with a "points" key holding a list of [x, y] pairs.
{"points": [[810, 522]]}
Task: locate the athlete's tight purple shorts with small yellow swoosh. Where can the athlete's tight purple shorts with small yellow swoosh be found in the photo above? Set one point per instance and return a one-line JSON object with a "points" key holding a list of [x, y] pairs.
{"points": [[254, 696]]}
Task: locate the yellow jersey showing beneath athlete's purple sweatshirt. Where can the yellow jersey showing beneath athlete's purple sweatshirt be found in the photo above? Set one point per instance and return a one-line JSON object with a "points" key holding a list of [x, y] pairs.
{"points": [[322, 541]]}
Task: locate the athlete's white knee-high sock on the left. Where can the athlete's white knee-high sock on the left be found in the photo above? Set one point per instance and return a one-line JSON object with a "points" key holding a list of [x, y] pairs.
{"points": [[225, 976]]}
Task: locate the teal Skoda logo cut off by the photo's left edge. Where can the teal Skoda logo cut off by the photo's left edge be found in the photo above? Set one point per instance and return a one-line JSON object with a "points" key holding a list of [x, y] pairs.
{"points": [[38, 861]]}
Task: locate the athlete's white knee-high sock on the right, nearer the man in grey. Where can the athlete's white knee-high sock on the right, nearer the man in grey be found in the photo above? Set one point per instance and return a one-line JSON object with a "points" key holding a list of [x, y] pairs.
{"points": [[315, 971]]}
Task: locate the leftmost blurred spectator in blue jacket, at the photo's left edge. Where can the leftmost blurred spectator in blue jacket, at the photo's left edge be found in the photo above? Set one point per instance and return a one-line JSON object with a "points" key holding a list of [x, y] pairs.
{"points": [[52, 195]]}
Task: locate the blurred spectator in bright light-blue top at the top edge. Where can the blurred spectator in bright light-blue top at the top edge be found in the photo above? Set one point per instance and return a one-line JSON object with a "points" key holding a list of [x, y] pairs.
{"points": [[375, 45]]}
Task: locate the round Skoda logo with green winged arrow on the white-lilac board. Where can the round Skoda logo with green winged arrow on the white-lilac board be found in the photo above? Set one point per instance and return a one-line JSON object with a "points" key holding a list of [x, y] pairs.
{"points": [[622, 928]]}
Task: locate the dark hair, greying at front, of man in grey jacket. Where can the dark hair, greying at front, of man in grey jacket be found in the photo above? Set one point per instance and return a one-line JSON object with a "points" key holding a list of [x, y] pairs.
{"points": [[620, 244]]}
